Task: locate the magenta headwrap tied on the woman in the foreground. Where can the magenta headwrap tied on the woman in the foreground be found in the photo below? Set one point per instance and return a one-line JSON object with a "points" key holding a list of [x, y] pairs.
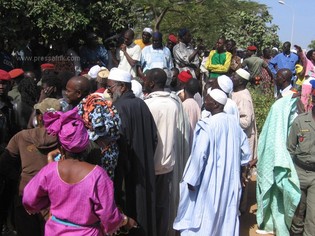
{"points": [[69, 128]]}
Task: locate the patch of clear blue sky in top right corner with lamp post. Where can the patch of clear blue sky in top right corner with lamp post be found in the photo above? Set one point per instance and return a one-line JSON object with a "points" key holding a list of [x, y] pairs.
{"points": [[304, 18]]}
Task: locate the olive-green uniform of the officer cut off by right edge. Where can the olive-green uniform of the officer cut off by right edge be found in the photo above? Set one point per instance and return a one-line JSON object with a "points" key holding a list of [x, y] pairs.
{"points": [[301, 145]]}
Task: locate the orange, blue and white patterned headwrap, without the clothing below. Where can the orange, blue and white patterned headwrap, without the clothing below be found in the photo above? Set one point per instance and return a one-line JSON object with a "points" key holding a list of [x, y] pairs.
{"points": [[100, 117]]}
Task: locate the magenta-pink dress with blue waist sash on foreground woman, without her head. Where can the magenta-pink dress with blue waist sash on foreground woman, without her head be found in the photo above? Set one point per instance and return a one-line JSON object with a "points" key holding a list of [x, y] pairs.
{"points": [[89, 203]]}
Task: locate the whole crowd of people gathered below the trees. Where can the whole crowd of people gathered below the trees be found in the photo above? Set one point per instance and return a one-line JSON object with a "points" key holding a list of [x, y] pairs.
{"points": [[145, 138]]}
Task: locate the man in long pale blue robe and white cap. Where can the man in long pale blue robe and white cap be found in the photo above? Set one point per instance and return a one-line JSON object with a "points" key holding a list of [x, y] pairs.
{"points": [[211, 185]]}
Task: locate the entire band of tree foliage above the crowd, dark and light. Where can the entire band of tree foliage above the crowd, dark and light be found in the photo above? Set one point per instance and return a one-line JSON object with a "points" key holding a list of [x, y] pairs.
{"points": [[56, 20]]}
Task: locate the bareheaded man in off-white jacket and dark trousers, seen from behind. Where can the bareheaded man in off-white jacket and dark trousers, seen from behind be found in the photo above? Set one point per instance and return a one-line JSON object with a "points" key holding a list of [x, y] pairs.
{"points": [[172, 150]]}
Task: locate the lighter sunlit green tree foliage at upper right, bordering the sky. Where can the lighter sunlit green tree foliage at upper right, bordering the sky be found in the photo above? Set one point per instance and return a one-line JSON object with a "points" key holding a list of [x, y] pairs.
{"points": [[246, 22]]}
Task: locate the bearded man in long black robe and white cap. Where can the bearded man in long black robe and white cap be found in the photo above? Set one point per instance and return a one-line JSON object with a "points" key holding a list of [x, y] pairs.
{"points": [[134, 176]]}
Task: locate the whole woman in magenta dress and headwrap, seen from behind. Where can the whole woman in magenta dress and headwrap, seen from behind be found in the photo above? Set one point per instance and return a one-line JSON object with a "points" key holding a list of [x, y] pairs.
{"points": [[80, 195]]}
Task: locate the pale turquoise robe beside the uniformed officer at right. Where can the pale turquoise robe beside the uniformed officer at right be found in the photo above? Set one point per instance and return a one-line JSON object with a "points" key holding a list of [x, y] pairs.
{"points": [[278, 188]]}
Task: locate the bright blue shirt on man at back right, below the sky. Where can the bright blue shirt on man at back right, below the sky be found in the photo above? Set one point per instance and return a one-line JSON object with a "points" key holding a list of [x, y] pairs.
{"points": [[283, 61]]}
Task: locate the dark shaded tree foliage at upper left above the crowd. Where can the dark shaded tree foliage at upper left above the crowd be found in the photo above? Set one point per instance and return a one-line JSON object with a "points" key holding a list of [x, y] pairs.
{"points": [[56, 20]]}
